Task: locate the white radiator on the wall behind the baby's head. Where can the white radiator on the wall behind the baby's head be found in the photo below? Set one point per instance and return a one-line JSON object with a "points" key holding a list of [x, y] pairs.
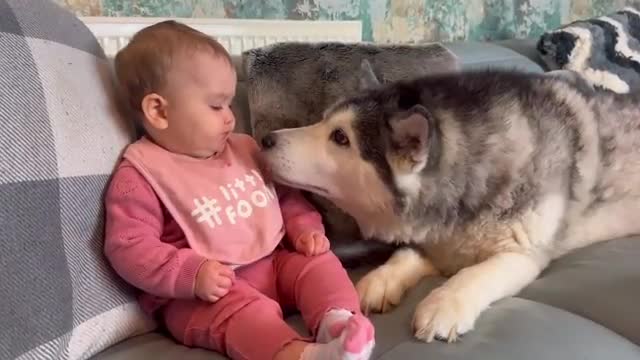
{"points": [[236, 35]]}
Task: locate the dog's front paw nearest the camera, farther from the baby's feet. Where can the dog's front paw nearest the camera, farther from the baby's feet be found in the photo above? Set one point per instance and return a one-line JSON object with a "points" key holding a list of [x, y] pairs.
{"points": [[443, 315]]}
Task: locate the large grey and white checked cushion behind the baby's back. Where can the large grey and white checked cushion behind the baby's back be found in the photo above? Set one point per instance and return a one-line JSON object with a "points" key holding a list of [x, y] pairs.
{"points": [[60, 137]]}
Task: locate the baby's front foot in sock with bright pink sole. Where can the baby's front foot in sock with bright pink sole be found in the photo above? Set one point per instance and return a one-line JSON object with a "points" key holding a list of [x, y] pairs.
{"points": [[353, 340]]}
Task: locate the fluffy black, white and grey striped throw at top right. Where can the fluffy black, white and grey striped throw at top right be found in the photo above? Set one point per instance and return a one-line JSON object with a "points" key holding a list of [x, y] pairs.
{"points": [[604, 50]]}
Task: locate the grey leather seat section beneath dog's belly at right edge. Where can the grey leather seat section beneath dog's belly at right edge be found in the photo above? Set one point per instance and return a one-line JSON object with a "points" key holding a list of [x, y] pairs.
{"points": [[600, 283]]}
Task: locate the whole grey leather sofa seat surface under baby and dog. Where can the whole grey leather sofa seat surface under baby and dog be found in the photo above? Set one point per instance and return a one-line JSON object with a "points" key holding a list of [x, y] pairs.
{"points": [[583, 307]]}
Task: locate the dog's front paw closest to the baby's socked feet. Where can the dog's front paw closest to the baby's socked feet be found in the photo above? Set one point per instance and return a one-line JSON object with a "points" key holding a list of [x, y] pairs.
{"points": [[380, 290]]}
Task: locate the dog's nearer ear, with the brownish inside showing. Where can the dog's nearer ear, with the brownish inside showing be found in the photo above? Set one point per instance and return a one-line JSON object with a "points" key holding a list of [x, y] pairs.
{"points": [[410, 134]]}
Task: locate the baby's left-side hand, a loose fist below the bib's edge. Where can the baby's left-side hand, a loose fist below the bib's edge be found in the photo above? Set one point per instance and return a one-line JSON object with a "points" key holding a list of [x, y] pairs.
{"points": [[213, 281]]}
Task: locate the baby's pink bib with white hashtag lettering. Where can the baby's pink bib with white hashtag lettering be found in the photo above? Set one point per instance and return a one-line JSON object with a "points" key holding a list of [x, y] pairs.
{"points": [[226, 210]]}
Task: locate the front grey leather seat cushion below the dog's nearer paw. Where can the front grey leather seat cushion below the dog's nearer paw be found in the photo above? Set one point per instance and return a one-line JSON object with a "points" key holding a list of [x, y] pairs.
{"points": [[517, 329]]}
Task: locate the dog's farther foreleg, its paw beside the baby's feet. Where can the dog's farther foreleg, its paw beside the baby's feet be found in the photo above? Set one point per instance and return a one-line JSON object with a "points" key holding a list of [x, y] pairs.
{"points": [[383, 288]]}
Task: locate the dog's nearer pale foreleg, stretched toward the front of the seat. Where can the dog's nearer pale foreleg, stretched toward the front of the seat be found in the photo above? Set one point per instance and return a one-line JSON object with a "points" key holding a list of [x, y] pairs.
{"points": [[453, 308]]}
